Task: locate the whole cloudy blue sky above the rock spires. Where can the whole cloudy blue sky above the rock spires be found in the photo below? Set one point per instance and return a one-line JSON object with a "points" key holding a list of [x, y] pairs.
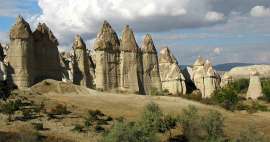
{"points": [[222, 31]]}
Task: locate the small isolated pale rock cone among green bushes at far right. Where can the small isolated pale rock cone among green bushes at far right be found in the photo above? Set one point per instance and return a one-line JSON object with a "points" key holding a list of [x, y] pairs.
{"points": [[255, 86]]}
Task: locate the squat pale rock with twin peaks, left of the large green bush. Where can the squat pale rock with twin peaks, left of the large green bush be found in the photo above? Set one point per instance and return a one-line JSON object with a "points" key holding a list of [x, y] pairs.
{"points": [[205, 78]]}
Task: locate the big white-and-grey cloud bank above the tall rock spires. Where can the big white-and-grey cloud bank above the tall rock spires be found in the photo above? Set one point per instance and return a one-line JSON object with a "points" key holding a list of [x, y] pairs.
{"points": [[69, 17]]}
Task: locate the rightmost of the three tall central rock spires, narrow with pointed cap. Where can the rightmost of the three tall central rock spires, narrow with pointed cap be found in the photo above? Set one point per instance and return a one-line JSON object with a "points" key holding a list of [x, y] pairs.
{"points": [[151, 76]]}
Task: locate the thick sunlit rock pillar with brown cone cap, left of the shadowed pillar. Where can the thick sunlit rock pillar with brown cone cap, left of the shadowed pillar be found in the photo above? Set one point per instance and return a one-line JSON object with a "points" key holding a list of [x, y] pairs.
{"points": [[20, 54]]}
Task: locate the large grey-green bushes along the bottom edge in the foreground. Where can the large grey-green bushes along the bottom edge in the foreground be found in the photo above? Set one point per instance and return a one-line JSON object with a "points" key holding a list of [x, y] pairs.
{"points": [[196, 127]]}
